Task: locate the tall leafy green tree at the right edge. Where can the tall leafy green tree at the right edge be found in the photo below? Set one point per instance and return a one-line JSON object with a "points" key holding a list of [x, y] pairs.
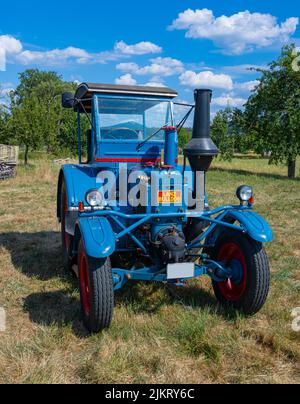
{"points": [[273, 113]]}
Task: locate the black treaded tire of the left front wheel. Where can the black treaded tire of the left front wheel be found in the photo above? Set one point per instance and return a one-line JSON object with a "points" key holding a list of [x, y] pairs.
{"points": [[101, 294]]}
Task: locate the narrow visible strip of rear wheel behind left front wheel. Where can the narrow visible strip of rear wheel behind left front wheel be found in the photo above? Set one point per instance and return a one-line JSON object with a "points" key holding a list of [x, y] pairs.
{"points": [[66, 238]]}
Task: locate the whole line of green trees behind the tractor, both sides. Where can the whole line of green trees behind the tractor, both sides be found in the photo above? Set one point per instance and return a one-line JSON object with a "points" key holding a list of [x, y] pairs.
{"points": [[269, 124]]}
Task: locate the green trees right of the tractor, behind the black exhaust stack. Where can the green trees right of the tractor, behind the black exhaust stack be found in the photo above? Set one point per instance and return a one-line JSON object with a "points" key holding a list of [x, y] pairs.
{"points": [[269, 124]]}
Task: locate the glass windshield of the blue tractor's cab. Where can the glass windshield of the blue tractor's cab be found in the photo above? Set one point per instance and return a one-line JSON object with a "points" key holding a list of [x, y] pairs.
{"points": [[133, 119]]}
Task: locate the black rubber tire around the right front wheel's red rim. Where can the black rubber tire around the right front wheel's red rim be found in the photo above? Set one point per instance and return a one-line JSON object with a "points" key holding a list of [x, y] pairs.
{"points": [[258, 277]]}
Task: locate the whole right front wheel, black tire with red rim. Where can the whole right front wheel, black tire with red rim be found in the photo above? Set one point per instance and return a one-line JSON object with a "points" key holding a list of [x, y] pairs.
{"points": [[249, 287]]}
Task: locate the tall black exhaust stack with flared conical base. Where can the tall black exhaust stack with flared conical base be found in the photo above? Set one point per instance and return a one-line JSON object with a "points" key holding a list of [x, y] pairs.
{"points": [[201, 150]]}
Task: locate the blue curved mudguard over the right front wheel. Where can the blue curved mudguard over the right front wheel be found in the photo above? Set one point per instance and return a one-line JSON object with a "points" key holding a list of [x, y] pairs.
{"points": [[253, 224]]}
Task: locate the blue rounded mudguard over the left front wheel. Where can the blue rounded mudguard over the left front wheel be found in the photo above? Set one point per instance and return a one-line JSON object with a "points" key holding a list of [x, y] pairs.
{"points": [[98, 237]]}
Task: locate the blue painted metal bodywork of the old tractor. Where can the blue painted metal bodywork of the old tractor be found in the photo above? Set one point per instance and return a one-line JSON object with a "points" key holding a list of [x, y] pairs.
{"points": [[115, 229]]}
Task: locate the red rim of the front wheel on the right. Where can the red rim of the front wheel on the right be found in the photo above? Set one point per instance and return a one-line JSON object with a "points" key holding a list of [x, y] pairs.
{"points": [[230, 290]]}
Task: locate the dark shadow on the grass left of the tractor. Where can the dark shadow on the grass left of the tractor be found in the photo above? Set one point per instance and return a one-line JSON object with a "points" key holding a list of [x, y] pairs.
{"points": [[39, 255]]}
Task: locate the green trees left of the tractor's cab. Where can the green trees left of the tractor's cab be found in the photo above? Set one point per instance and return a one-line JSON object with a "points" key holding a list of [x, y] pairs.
{"points": [[34, 117]]}
